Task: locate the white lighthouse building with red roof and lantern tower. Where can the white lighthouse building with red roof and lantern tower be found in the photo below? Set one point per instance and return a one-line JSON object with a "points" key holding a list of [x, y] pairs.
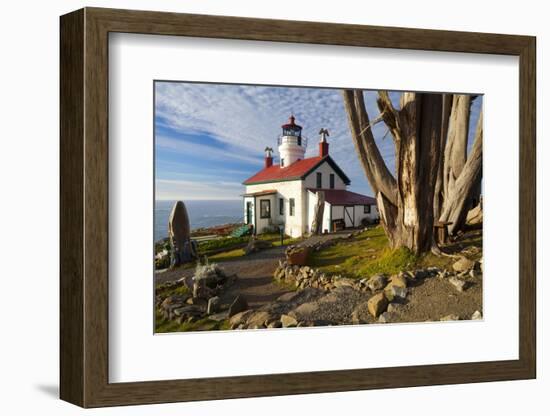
{"points": [[286, 194]]}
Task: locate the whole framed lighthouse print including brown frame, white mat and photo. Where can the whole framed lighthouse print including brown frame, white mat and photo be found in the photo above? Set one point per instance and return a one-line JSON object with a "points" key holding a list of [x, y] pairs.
{"points": [[255, 207]]}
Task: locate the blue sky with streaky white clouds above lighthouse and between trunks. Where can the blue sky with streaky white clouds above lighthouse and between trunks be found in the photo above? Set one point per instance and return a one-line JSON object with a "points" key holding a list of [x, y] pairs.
{"points": [[210, 137]]}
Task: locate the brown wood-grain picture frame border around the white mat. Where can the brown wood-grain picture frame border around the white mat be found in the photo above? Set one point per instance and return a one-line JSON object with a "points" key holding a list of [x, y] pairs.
{"points": [[84, 207]]}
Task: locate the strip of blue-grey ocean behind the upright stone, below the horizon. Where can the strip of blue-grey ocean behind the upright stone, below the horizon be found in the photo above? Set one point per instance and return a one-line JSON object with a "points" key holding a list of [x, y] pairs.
{"points": [[201, 214]]}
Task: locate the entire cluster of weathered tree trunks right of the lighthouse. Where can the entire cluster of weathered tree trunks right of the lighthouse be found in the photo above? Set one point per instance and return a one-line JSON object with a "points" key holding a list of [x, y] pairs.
{"points": [[434, 179]]}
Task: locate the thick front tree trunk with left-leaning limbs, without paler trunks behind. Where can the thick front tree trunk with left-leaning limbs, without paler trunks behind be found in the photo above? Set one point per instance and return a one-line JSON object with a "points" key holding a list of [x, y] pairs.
{"points": [[405, 202]]}
